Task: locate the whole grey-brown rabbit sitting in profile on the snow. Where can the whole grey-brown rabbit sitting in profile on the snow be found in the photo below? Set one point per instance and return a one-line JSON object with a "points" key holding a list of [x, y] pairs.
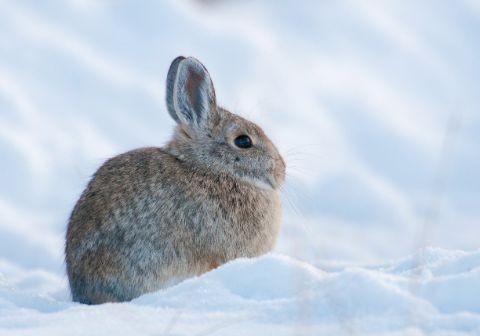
{"points": [[152, 217]]}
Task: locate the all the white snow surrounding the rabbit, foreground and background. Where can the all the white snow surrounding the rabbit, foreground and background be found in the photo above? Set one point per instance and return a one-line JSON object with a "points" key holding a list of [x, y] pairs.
{"points": [[373, 104]]}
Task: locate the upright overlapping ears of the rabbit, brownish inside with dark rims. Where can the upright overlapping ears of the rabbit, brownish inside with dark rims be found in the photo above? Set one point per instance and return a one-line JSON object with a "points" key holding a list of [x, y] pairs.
{"points": [[190, 94]]}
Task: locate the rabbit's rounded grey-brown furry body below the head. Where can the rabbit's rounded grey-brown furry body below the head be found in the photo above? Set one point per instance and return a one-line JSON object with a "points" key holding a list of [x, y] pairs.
{"points": [[148, 219]]}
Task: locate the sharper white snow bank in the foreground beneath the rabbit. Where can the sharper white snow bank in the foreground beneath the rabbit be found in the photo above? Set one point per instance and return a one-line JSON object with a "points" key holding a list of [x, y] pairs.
{"points": [[432, 292]]}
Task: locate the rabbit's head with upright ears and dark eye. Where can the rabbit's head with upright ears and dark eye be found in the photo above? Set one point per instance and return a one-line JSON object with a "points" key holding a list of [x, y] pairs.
{"points": [[210, 137]]}
